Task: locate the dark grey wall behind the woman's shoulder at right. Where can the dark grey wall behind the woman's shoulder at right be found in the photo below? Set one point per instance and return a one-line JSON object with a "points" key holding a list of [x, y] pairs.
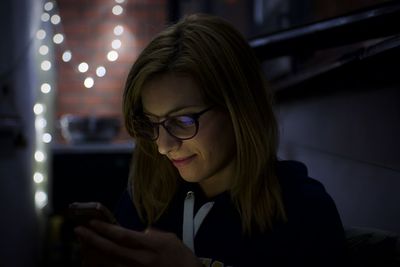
{"points": [[345, 126]]}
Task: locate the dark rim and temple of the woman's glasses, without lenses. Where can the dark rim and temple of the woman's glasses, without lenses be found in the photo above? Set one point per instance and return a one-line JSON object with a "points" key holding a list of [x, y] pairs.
{"points": [[194, 116]]}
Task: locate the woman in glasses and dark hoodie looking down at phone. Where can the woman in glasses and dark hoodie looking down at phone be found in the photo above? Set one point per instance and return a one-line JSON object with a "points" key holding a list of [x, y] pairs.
{"points": [[206, 187]]}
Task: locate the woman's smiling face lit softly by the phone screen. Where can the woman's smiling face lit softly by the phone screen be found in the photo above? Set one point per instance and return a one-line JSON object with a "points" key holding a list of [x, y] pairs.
{"points": [[208, 158]]}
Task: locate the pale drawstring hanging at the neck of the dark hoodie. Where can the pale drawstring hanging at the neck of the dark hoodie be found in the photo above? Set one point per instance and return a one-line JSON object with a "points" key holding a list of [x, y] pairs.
{"points": [[191, 224]]}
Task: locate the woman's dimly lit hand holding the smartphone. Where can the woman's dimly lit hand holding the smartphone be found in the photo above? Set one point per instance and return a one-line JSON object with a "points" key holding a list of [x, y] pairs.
{"points": [[109, 245]]}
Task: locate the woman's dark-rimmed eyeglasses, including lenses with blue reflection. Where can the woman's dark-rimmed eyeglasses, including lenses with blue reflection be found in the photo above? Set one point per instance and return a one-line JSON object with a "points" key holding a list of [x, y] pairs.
{"points": [[182, 127]]}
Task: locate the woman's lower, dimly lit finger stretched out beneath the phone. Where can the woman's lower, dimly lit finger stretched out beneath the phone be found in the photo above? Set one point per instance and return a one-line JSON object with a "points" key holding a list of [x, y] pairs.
{"points": [[115, 252]]}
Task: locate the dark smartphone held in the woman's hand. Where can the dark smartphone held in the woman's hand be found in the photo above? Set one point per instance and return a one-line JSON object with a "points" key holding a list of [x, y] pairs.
{"points": [[82, 212]]}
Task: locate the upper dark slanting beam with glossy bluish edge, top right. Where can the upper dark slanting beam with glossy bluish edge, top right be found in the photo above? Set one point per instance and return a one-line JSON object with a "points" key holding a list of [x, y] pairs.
{"points": [[370, 23]]}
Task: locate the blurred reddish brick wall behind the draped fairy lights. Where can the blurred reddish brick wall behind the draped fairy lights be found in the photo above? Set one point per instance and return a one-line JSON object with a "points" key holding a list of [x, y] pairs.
{"points": [[88, 30]]}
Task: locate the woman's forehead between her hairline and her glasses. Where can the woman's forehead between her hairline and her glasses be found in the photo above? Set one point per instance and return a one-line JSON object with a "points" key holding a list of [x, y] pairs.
{"points": [[166, 92]]}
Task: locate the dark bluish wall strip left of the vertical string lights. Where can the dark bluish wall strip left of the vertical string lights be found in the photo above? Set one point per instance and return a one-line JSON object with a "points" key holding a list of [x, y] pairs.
{"points": [[19, 223]]}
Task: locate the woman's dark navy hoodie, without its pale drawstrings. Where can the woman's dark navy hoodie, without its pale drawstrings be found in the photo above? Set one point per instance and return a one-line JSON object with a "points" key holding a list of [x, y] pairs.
{"points": [[312, 236]]}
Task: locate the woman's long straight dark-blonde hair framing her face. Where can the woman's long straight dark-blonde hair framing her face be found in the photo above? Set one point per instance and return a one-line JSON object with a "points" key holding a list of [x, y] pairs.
{"points": [[217, 56]]}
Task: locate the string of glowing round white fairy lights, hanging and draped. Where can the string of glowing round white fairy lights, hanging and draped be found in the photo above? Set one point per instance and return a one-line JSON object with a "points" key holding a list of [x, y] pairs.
{"points": [[51, 18]]}
